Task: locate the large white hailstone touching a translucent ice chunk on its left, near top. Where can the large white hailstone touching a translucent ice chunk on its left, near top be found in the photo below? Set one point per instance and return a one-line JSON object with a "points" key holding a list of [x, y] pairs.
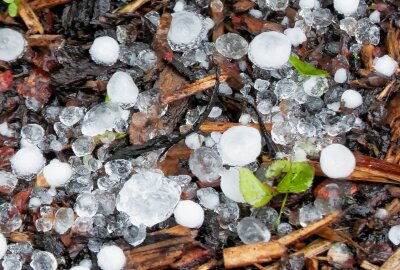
{"points": [[270, 50]]}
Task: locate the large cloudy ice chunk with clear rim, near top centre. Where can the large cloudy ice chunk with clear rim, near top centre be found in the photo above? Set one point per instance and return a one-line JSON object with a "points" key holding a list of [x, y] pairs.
{"points": [[186, 31]]}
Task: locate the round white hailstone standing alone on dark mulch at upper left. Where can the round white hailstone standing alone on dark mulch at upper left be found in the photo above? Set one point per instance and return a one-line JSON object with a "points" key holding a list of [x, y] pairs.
{"points": [[104, 50]]}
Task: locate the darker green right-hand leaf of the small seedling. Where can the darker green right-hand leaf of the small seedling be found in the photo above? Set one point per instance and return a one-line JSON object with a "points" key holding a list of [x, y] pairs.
{"points": [[297, 179]]}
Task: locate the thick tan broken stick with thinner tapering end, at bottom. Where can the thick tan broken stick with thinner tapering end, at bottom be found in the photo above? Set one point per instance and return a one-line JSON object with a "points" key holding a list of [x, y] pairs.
{"points": [[264, 252]]}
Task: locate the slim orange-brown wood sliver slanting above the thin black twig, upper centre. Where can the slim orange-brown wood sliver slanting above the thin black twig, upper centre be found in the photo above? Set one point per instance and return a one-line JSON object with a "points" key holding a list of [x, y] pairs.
{"points": [[192, 89]]}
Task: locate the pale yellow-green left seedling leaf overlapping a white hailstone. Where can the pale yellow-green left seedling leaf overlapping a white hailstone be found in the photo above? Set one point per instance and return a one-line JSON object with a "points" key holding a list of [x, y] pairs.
{"points": [[254, 192]]}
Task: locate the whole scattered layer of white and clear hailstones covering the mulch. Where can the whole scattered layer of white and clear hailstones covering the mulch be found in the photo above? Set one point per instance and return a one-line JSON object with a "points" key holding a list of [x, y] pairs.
{"points": [[142, 195]]}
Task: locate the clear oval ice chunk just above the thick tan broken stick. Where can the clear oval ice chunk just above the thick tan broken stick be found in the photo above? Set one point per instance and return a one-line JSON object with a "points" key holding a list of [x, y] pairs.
{"points": [[251, 230]]}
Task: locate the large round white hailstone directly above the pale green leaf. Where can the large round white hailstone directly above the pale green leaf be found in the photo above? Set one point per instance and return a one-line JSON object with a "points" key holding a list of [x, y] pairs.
{"points": [[240, 145]]}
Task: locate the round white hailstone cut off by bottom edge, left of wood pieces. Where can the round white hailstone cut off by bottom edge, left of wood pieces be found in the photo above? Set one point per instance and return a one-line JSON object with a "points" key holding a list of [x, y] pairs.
{"points": [[111, 258]]}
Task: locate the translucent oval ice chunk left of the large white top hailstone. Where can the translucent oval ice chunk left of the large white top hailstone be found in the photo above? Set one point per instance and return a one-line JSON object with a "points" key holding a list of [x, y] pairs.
{"points": [[232, 45]]}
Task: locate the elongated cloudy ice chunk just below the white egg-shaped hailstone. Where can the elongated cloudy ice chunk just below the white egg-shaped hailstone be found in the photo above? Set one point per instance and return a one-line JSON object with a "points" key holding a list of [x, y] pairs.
{"points": [[100, 118]]}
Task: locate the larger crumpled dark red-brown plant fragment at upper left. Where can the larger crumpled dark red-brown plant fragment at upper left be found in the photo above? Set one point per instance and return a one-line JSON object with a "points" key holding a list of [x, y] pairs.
{"points": [[37, 85]]}
